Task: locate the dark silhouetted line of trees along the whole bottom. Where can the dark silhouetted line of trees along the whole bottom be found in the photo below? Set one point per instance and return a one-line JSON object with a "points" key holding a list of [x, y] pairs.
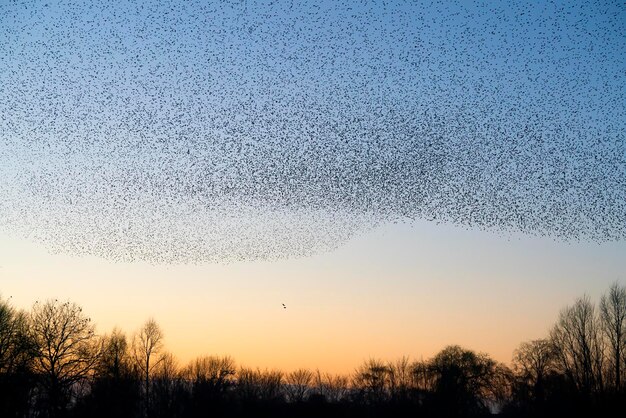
{"points": [[54, 365]]}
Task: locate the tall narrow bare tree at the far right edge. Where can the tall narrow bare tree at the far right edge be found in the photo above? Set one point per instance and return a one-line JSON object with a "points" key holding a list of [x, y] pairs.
{"points": [[613, 316]]}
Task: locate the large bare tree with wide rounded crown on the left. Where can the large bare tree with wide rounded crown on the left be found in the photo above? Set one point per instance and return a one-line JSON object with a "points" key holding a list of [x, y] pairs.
{"points": [[67, 350]]}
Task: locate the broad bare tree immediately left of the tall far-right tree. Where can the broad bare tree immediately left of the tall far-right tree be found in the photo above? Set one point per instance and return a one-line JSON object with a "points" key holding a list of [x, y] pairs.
{"points": [[579, 346]]}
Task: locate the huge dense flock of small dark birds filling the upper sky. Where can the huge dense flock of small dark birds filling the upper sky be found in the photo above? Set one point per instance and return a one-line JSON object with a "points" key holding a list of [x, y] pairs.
{"points": [[183, 132]]}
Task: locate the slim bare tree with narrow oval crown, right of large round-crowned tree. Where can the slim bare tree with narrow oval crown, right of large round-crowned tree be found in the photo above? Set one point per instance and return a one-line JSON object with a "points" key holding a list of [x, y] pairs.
{"points": [[147, 343]]}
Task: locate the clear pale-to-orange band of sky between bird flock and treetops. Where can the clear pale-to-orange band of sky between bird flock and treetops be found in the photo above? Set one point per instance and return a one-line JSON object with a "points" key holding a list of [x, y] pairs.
{"points": [[398, 290]]}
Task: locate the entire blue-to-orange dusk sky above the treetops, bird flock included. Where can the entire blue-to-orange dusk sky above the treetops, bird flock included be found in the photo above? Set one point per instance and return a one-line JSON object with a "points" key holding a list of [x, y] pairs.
{"points": [[401, 175]]}
